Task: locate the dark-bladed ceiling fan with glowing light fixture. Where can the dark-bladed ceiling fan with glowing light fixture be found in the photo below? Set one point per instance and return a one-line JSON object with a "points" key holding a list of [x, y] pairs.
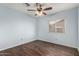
{"points": [[39, 11]]}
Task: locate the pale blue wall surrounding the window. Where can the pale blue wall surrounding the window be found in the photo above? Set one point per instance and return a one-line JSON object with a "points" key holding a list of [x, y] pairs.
{"points": [[70, 37]]}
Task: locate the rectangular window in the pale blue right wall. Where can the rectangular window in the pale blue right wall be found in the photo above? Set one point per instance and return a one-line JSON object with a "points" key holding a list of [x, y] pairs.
{"points": [[56, 26]]}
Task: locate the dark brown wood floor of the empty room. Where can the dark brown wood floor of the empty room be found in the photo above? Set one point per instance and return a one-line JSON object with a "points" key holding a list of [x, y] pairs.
{"points": [[39, 48]]}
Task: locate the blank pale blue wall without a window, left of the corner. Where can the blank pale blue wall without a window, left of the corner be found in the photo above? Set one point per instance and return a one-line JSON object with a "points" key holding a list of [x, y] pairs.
{"points": [[15, 28]]}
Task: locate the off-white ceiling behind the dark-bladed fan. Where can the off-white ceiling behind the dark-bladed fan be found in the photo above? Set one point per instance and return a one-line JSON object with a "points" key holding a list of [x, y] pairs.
{"points": [[57, 7]]}
